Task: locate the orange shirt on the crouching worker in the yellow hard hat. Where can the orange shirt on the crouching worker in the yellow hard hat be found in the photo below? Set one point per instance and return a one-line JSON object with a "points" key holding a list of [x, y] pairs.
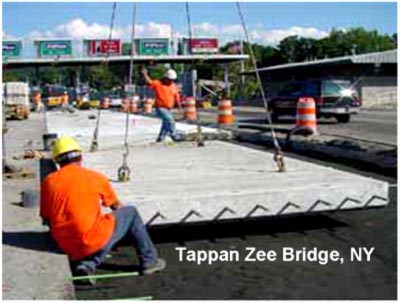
{"points": [[70, 200]]}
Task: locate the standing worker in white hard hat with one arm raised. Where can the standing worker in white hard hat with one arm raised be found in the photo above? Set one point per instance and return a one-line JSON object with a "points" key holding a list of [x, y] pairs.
{"points": [[167, 93]]}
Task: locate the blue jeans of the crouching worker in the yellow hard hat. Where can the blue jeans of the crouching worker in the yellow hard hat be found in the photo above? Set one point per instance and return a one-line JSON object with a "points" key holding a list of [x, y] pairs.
{"points": [[127, 223]]}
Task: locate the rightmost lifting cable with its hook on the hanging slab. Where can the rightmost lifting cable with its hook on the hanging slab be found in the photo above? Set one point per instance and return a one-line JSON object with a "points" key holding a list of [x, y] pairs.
{"points": [[278, 155]]}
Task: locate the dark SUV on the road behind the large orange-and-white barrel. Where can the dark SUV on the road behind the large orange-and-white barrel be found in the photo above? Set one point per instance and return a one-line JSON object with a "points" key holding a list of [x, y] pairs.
{"points": [[333, 97]]}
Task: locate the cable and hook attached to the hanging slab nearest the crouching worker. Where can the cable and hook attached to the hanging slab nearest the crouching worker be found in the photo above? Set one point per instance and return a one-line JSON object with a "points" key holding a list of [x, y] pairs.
{"points": [[124, 171]]}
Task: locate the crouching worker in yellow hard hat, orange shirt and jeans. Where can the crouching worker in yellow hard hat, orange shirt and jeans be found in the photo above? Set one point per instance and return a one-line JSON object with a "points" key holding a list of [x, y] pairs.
{"points": [[70, 205]]}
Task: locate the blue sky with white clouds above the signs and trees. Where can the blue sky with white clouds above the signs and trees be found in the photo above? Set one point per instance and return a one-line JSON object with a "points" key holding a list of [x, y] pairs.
{"points": [[267, 22]]}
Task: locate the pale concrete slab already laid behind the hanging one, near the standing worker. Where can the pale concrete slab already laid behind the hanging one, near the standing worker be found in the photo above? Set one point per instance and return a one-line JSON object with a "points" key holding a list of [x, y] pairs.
{"points": [[142, 129]]}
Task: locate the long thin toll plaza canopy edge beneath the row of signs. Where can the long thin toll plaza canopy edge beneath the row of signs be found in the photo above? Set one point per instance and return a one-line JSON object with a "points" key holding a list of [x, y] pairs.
{"points": [[68, 61]]}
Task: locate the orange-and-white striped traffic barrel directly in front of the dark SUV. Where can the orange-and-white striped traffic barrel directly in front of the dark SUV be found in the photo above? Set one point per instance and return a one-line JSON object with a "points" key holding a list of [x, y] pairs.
{"points": [[306, 114]]}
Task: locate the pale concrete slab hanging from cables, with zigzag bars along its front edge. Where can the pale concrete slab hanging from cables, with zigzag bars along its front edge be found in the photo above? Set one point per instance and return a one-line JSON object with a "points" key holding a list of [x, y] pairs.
{"points": [[184, 183]]}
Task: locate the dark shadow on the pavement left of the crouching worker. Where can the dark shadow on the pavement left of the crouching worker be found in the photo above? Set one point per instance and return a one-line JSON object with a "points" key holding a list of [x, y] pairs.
{"points": [[34, 240]]}
